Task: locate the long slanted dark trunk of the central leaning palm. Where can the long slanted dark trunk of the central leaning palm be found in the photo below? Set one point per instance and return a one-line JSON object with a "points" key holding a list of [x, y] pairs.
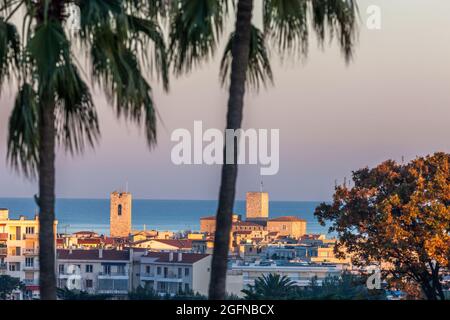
{"points": [[240, 53]]}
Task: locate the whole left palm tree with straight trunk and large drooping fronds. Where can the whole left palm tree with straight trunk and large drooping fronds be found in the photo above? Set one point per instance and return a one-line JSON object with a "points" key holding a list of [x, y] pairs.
{"points": [[54, 107]]}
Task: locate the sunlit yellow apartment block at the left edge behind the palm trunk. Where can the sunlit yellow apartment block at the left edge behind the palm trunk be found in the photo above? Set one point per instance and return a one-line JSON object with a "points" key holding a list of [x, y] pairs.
{"points": [[19, 252]]}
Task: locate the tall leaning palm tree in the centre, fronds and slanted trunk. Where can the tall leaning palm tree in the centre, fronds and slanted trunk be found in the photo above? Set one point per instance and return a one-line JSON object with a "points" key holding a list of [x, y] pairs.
{"points": [[196, 26]]}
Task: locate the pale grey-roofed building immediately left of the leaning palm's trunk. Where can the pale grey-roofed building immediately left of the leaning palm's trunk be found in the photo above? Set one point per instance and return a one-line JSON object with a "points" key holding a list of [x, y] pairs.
{"points": [[174, 272]]}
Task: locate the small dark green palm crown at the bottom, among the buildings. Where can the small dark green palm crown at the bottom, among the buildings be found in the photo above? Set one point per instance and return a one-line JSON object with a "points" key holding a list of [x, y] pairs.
{"points": [[271, 287]]}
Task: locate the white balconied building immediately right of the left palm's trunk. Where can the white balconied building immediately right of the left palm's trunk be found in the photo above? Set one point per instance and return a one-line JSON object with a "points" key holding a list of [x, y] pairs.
{"points": [[95, 271]]}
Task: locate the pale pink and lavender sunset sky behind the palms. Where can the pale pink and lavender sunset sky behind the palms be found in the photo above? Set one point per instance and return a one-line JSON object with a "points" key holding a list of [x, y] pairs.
{"points": [[392, 101]]}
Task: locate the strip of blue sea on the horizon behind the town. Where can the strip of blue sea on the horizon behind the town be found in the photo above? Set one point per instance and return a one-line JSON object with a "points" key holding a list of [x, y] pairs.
{"points": [[174, 215]]}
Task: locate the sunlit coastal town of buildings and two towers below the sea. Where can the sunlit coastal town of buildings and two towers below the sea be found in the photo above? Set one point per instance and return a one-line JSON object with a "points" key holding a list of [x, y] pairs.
{"points": [[165, 261]]}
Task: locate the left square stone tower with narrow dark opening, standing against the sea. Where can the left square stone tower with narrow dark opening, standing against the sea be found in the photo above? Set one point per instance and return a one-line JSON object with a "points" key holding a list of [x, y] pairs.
{"points": [[120, 214]]}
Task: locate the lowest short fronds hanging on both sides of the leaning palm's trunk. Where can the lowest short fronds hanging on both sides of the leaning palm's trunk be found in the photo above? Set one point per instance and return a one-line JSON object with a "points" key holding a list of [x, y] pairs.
{"points": [[259, 71]]}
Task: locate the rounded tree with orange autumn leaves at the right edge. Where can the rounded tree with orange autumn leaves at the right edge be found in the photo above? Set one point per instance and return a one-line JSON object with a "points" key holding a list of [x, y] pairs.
{"points": [[396, 216]]}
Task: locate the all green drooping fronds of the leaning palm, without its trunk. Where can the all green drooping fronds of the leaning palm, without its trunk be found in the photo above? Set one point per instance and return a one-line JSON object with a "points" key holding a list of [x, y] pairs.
{"points": [[197, 25]]}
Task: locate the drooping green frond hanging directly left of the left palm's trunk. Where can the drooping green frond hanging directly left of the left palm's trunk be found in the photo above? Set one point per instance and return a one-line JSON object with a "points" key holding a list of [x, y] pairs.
{"points": [[23, 132]]}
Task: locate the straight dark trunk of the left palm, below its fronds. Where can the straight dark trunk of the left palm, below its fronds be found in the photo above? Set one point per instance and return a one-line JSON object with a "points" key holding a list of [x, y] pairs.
{"points": [[47, 136]]}
